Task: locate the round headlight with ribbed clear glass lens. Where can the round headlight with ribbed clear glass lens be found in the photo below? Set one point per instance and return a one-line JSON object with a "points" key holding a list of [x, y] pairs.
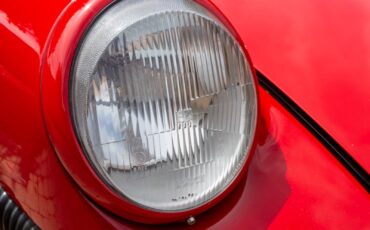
{"points": [[164, 103]]}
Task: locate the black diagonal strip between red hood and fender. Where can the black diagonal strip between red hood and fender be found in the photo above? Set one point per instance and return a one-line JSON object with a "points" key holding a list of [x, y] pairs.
{"points": [[361, 175]]}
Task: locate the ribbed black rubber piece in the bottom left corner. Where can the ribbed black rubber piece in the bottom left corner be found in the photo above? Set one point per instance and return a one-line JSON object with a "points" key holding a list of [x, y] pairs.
{"points": [[11, 216]]}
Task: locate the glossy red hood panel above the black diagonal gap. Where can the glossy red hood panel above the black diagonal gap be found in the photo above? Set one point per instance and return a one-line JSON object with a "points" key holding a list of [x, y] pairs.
{"points": [[318, 53]]}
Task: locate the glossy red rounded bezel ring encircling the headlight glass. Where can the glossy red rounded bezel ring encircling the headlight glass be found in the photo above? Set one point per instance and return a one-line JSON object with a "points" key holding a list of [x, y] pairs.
{"points": [[57, 115]]}
